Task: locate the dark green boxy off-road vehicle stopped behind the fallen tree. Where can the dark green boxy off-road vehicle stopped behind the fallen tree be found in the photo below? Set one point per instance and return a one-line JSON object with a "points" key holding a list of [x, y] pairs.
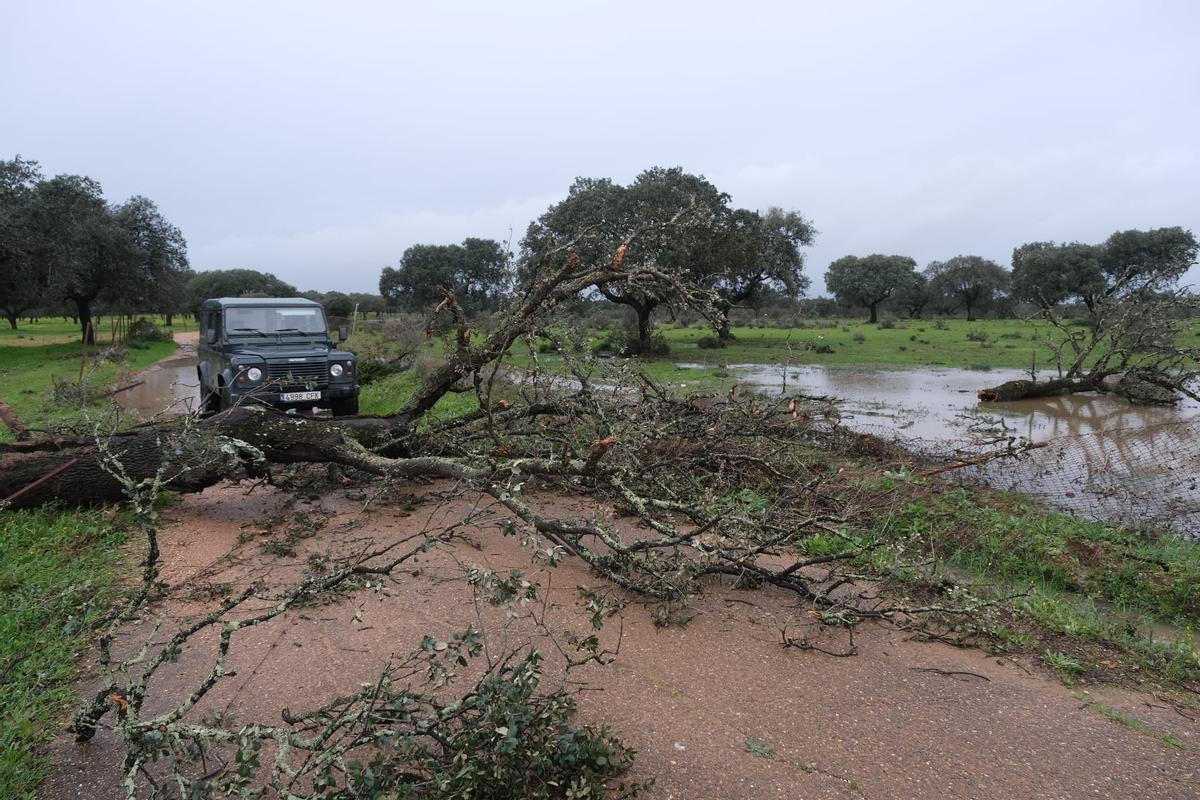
{"points": [[273, 351]]}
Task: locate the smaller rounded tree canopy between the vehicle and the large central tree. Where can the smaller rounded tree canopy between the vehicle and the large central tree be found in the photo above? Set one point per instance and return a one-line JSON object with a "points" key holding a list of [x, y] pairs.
{"points": [[478, 272]]}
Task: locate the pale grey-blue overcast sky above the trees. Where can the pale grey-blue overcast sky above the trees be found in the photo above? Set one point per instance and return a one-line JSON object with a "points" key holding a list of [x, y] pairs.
{"points": [[317, 141]]}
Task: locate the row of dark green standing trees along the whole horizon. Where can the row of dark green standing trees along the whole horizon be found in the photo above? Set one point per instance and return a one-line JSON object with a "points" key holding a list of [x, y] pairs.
{"points": [[65, 250]]}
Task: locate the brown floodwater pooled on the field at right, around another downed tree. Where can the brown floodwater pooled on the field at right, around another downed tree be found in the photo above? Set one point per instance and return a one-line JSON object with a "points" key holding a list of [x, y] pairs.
{"points": [[1103, 459]]}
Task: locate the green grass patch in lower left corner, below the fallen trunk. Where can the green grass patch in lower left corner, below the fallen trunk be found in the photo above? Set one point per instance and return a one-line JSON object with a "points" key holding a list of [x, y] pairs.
{"points": [[57, 581]]}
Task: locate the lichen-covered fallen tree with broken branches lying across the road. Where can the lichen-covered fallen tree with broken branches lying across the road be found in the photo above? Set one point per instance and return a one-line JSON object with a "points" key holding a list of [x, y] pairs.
{"points": [[713, 490]]}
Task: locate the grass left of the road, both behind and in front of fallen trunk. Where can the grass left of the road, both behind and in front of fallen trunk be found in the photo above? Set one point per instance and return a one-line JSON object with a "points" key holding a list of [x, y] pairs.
{"points": [[59, 570]]}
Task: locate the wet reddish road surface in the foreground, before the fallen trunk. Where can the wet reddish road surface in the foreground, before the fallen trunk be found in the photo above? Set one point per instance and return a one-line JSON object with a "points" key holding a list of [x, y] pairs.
{"points": [[899, 720]]}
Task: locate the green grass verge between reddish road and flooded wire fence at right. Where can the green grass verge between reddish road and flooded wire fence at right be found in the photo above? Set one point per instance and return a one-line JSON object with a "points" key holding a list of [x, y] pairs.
{"points": [[1090, 591]]}
